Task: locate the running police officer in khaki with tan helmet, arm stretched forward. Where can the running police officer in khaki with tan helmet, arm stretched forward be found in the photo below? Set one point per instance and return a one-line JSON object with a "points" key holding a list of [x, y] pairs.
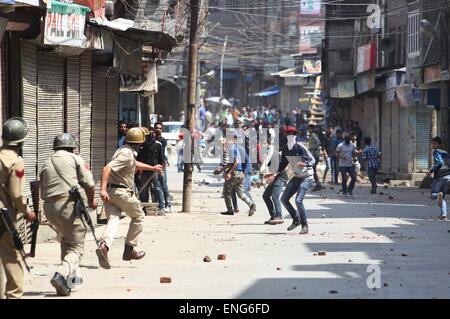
{"points": [[117, 194]]}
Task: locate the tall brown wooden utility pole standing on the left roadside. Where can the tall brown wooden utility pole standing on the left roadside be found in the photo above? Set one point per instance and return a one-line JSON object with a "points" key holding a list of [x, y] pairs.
{"points": [[191, 106]]}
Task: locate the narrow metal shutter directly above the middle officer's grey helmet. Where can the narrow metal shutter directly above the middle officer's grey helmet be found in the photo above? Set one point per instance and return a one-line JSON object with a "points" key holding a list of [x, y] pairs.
{"points": [[73, 97]]}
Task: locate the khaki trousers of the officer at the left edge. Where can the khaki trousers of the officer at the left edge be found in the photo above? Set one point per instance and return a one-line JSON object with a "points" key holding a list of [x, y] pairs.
{"points": [[12, 265]]}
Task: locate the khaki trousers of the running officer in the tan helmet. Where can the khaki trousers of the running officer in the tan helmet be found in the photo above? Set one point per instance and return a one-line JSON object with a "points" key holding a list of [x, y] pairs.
{"points": [[123, 200]]}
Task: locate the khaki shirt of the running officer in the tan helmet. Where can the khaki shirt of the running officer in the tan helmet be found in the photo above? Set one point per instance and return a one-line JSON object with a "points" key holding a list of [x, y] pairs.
{"points": [[123, 166]]}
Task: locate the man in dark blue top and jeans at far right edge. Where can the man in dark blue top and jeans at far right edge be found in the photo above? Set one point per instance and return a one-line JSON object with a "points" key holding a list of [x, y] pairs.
{"points": [[441, 171]]}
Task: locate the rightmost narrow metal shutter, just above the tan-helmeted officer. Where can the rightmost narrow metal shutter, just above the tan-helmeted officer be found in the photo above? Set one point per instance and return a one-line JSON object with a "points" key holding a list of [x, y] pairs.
{"points": [[112, 115]]}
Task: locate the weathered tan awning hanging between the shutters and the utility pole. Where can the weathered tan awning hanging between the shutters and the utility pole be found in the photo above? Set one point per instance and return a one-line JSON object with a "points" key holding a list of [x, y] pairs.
{"points": [[147, 81]]}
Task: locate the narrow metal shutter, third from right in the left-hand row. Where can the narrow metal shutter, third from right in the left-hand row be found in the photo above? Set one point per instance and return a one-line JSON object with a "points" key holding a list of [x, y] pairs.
{"points": [[85, 106]]}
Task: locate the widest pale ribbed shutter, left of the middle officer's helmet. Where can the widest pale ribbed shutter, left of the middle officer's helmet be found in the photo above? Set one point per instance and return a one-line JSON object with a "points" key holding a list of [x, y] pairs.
{"points": [[50, 103]]}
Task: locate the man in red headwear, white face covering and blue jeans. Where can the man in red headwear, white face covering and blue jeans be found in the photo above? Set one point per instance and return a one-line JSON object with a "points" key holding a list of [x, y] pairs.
{"points": [[303, 161]]}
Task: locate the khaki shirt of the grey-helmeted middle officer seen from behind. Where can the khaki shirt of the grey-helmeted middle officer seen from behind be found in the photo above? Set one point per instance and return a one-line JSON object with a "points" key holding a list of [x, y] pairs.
{"points": [[72, 167]]}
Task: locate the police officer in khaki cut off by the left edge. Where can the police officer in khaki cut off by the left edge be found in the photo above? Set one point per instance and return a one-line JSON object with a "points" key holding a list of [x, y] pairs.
{"points": [[12, 183]]}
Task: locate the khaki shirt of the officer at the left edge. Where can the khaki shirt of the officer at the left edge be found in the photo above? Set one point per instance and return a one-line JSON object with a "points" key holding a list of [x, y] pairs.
{"points": [[12, 182]]}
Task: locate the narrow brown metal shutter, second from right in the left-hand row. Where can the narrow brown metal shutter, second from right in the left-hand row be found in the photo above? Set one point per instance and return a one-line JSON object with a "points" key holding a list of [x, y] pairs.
{"points": [[98, 122]]}
